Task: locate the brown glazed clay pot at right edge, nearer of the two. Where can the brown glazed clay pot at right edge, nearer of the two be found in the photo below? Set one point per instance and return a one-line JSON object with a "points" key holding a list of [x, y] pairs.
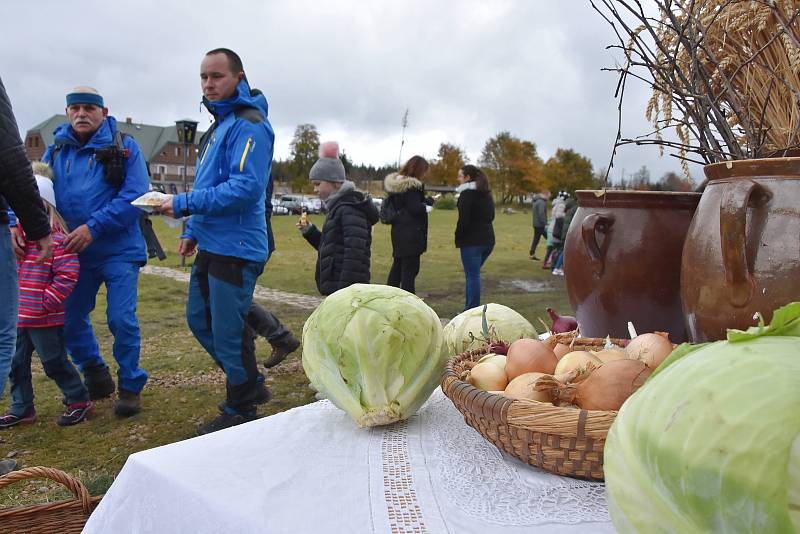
{"points": [[742, 253]]}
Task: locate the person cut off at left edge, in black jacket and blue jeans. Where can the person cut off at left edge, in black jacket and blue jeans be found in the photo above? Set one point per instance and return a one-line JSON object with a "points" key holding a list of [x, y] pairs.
{"points": [[17, 189]]}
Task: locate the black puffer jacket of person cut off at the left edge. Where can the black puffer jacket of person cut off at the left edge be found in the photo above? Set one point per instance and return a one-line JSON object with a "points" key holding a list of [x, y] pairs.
{"points": [[17, 185]]}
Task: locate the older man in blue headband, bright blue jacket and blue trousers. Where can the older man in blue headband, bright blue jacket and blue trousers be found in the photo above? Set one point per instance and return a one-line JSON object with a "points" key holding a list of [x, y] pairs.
{"points": [[95, 181]]}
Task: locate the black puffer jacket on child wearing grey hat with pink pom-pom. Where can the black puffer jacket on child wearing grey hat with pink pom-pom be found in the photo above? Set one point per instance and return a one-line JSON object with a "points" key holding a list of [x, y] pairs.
{"points": [[345, 242]]}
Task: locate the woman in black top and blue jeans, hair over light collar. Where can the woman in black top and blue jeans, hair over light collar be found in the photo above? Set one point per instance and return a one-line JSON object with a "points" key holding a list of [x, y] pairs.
{"points": [[474, 230]]}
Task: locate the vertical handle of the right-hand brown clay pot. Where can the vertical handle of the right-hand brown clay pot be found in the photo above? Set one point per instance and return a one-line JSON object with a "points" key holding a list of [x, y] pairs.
{"points": [[736, 197]]}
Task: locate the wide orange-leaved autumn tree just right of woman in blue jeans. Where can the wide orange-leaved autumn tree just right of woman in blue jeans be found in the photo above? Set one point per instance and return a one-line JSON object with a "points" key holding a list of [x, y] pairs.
{"points": [[513, 166]]}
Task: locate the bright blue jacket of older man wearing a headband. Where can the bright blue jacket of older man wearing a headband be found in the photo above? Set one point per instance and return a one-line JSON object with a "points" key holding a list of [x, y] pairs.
{"points": [[84, 196]]}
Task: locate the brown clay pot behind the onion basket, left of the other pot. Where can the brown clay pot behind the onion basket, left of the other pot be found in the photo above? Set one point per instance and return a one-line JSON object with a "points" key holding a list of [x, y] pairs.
{"points": [[623, 261]]}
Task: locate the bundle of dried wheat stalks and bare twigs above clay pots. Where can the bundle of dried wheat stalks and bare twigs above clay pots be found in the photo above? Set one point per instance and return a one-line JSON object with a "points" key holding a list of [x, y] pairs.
{"points": [[725, 73]]}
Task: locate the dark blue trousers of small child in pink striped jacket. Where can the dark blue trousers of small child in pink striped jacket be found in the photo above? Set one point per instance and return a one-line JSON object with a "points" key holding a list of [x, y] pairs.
{"points": [[49, 344]]}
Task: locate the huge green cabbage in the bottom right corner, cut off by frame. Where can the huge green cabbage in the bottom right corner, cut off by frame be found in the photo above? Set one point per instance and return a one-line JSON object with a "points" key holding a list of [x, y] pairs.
{"points": [[711, 443]]}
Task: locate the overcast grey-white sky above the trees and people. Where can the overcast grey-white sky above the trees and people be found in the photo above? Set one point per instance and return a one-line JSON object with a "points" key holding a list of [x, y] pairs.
{"points": [[466, 70]]}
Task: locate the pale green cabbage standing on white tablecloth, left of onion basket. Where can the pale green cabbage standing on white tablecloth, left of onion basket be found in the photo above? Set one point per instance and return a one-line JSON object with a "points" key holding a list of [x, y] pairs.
{"points": [[375, 351]]}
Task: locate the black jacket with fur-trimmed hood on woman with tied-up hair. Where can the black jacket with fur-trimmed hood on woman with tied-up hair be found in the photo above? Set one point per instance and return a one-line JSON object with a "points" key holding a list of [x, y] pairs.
{"points": [[406, 199]]}
